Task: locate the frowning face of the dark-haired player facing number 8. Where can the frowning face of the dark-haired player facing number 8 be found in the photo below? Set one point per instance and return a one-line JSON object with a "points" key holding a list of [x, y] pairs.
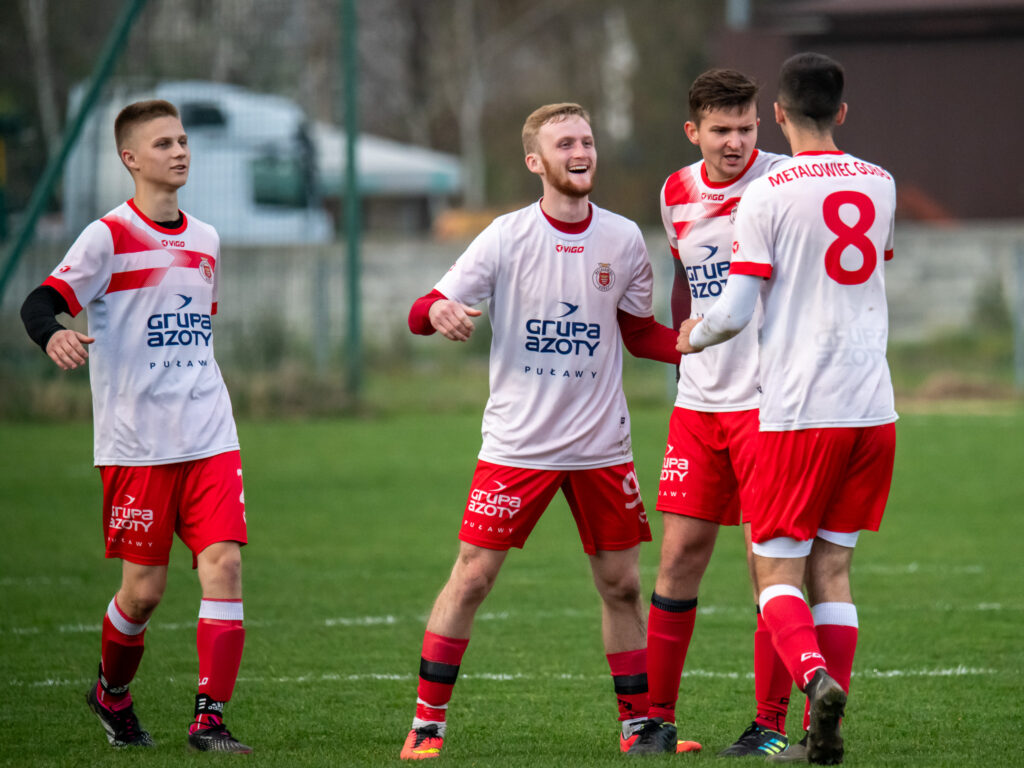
{"points": [[727, 139]]}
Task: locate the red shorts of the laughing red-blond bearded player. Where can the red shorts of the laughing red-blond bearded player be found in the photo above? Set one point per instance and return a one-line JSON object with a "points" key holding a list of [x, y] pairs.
{"points": [[505, 504]]}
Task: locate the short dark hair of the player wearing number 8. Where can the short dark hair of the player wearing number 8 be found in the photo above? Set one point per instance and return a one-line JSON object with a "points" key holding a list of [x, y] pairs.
{"points": [[810, 90]]}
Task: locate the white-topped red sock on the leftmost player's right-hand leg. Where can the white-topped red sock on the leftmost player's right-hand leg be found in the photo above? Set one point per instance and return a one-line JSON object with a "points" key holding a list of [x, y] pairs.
{"points": [[220, 641]]}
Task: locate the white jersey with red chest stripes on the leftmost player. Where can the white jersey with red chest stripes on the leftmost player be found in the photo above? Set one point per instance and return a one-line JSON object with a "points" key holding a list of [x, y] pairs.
{"points": [[158, 396]]}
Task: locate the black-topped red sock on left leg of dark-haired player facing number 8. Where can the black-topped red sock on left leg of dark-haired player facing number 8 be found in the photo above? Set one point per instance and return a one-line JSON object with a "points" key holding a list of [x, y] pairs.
{"points": [[670, 627]]}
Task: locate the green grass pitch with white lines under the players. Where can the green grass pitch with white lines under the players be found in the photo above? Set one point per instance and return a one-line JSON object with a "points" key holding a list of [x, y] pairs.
{"points": [[353, 525]]}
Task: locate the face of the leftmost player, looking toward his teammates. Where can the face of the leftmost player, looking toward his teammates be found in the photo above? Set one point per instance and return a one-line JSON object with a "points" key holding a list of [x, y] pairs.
{"points": [[157, 153]]}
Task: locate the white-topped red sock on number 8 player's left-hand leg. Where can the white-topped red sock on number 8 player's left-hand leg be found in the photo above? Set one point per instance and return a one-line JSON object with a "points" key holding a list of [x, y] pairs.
{"points": [[788, 616]]}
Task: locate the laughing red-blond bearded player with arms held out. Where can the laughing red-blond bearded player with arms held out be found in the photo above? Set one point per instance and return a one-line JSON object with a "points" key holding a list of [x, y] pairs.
{"points": [[567, 283]]}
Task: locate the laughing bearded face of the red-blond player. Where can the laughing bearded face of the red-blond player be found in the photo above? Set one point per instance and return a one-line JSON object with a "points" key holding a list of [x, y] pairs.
{"points": [[566, 158]]}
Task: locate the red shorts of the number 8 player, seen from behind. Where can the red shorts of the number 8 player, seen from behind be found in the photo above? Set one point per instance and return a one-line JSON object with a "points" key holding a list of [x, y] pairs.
{"points": [[836, 479]]}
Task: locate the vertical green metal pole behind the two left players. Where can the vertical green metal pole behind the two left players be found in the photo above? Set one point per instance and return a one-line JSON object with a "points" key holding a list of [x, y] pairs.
{"points": [[354, 222]]}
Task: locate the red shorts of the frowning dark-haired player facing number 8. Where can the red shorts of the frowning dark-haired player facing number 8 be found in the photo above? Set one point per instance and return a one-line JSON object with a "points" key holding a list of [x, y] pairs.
{"points": [[708, 471]]}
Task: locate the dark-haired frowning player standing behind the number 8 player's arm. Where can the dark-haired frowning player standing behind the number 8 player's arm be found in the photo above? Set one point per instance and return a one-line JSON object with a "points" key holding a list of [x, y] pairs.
{"points": [[708, 471]]}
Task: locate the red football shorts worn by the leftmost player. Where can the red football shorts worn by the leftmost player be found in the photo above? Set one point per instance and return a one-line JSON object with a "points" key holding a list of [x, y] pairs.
{"points": [[202, 501]]}
